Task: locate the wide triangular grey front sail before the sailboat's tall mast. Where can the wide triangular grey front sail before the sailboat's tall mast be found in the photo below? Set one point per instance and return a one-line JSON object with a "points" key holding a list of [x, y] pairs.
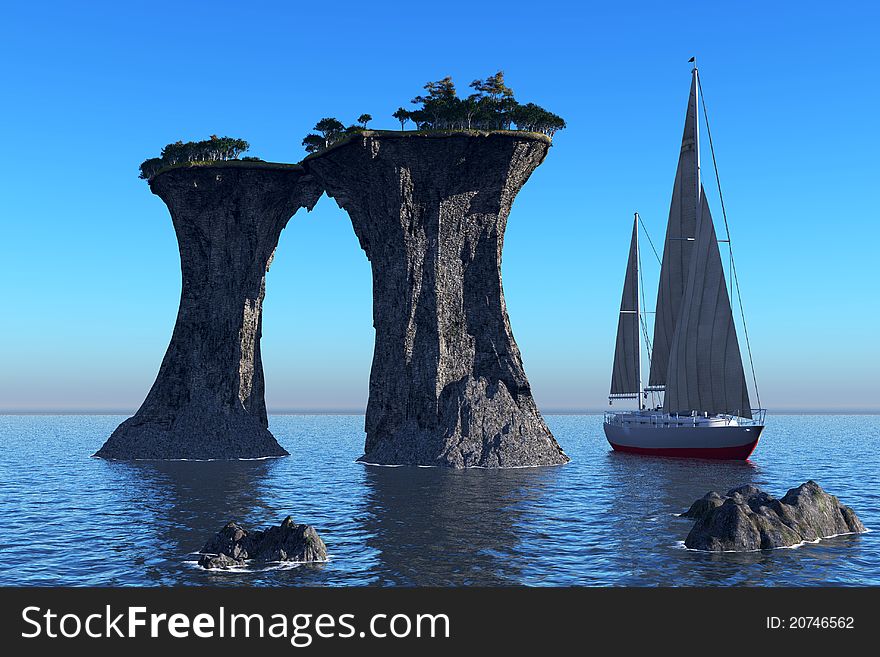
{"points": [[705, 365]]}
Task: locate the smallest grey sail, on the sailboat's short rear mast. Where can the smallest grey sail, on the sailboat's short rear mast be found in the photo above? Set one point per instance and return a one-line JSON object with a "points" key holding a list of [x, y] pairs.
{"points": [[625, 377]]}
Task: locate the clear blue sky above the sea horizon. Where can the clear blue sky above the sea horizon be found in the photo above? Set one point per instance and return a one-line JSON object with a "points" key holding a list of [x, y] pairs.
{"points": [[88, 261]]}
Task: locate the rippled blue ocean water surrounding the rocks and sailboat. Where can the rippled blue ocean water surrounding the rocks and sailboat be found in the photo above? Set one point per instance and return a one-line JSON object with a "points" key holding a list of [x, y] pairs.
{"points": [[604, 519]]}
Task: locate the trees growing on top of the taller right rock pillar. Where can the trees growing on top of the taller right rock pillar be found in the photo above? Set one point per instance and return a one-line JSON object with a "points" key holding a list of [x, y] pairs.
{"points": [[490, 106]]}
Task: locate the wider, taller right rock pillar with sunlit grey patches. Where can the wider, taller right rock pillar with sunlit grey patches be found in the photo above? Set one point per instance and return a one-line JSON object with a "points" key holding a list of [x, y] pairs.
{"points": [[447, 385]]}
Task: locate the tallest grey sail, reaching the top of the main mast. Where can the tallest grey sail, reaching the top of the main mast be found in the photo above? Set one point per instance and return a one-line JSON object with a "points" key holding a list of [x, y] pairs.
{"points": [[678, 246]]}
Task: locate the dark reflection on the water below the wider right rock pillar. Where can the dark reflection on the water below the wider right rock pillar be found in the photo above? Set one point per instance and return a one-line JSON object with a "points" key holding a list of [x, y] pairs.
{"points": [[437, 526]]}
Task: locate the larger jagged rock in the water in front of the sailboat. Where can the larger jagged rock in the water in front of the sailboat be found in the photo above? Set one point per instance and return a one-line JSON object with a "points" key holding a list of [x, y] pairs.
{"points": [[748, 519]]}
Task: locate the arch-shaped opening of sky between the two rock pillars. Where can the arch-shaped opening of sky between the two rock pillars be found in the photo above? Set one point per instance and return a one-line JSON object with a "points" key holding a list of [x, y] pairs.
{"points": [[318, 316]]}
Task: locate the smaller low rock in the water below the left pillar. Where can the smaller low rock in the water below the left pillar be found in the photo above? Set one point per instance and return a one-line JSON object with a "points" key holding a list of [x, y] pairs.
{"points": [[235, 546]]}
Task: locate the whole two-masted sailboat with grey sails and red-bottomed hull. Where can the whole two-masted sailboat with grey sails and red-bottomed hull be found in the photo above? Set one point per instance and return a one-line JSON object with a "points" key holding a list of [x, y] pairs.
{"points": [[696, 366]]}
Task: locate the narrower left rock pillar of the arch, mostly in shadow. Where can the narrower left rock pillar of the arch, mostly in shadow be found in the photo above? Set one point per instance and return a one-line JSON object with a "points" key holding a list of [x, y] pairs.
{"points": [[207, 401]]}
